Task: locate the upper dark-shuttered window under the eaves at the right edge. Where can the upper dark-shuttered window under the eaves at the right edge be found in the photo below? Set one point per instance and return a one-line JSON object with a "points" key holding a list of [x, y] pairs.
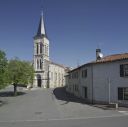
{"points": [[124, 70]]}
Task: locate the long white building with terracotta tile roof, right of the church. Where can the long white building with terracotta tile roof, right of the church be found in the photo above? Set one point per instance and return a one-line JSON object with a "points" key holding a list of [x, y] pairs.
{"points": [[102, 81]]}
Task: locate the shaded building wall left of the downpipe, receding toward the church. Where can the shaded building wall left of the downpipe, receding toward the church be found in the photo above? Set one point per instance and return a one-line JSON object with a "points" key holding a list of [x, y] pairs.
{"points": [[81, 82]]}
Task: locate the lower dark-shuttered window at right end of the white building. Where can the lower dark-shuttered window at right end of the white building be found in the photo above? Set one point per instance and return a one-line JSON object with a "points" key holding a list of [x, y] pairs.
{"points": [[123, 93]]}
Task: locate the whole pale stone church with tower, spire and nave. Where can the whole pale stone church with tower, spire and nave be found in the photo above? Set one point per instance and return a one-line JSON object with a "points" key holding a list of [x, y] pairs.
{"points": [[48, 74]]}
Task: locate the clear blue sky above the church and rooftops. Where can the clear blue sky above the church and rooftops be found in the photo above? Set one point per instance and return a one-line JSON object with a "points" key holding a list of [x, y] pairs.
{"points": [[75, 28]]}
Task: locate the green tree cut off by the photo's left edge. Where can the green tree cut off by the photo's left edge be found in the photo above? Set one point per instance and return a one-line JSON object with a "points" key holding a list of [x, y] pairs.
{"points": [[3, 67]]}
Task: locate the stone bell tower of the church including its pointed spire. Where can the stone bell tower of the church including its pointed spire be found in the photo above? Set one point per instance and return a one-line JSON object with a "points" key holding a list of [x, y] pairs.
{"points": [[41, 55]]}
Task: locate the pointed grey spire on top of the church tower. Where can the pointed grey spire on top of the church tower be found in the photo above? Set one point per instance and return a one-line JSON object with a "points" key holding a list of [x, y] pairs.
{"points": [[41, 28]]}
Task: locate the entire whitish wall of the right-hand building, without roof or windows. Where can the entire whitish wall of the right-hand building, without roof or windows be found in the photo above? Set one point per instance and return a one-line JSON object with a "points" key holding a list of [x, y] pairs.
{"points": [[97, 82]]}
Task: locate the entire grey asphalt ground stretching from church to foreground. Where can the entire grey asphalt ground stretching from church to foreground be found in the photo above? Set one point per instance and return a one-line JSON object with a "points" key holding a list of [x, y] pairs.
{"points": [[45, 108]]}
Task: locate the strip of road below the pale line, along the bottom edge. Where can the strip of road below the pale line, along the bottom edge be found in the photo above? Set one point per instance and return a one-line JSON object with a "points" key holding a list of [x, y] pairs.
{"points": [[92, 122]]}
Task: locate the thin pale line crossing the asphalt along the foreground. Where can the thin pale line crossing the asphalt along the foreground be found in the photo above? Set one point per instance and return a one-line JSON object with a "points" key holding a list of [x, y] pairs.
{"points": [[64, 119]]}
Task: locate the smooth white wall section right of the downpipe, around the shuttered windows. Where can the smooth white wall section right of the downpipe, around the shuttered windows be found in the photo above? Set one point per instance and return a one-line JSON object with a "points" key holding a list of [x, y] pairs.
{"points": [[102, 74]]}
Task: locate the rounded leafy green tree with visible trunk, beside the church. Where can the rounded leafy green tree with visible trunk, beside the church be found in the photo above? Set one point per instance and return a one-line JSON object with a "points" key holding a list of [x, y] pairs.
{"points": [[20, 72]]}
